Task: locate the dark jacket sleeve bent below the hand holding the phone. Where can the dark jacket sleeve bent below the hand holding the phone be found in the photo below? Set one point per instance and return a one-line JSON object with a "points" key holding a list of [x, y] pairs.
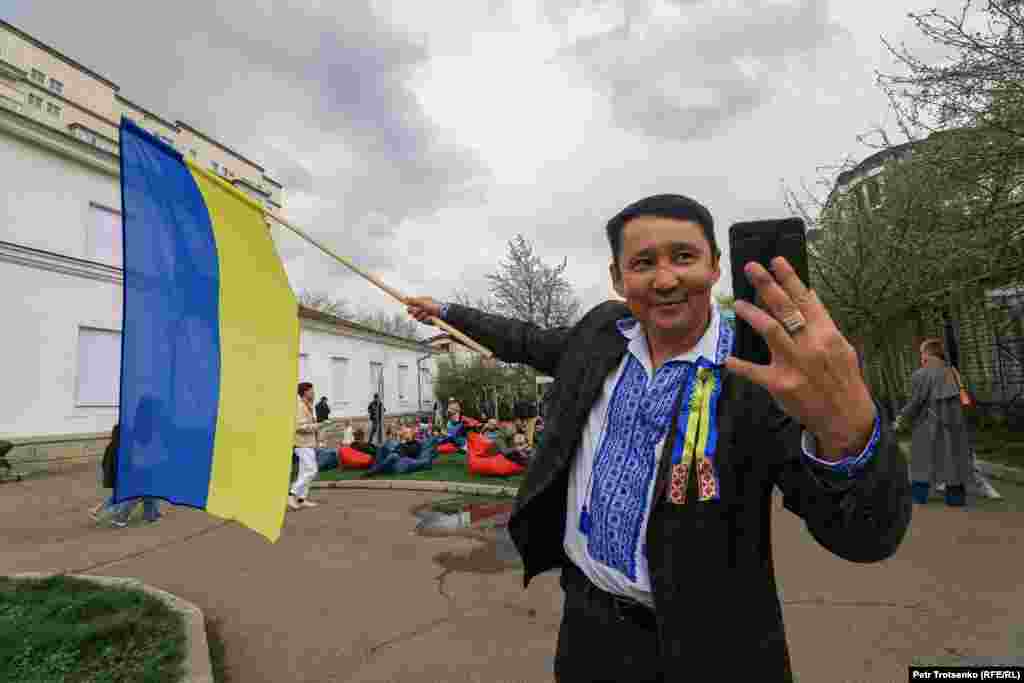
{"points": [[861, 517]]}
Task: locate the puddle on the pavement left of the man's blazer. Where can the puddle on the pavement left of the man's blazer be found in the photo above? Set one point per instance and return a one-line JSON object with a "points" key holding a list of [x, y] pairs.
{"points": [[487, 523]]}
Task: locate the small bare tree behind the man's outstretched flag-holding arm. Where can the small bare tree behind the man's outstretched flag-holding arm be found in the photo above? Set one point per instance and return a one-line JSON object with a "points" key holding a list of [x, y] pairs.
{"points": [[528, 289]]}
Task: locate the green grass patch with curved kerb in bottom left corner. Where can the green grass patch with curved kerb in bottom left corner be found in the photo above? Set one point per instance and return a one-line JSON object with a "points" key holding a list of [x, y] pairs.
{"points": [[75, 631]]}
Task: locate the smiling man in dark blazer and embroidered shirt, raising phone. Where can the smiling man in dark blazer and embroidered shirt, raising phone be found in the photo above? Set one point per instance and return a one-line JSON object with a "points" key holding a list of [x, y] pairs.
{"points": [[653, 489]]}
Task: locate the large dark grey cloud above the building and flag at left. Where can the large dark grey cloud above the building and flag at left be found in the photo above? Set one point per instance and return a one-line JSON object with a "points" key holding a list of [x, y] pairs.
{"points": [[282, 82]]}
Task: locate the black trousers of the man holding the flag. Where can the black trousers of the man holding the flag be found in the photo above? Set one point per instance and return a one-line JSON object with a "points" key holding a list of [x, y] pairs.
{"points": [[605, 639]]}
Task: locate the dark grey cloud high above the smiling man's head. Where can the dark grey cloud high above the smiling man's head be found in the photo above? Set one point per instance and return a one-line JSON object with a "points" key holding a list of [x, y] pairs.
{"points": [[686, 79]]}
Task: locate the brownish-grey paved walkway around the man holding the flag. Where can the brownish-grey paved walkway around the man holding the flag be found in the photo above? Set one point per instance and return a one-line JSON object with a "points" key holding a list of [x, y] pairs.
{"points": [[351, 594]]}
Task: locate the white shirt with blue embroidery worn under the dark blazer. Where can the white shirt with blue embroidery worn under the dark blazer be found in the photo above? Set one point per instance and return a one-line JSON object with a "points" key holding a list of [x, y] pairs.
{"points": [[607, 520]]}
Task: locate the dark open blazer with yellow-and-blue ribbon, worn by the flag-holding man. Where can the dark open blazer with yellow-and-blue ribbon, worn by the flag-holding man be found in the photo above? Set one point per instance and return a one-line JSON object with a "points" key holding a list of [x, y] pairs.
{"points": [[711, 563]]}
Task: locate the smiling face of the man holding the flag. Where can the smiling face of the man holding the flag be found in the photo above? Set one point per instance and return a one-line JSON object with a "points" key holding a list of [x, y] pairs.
{"points": [[666, 272]]}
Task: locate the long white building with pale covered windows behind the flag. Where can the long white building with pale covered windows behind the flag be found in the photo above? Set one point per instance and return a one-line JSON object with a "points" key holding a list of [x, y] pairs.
{"points": [[61, 277]]}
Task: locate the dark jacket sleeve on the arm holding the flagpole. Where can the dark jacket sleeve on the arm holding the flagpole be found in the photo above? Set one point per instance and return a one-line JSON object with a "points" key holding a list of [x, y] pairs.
{"points": [[511, 340]]}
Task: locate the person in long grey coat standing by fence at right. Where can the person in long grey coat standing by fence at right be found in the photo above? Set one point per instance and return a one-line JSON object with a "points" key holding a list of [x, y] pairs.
{"points": [[941, 449]]}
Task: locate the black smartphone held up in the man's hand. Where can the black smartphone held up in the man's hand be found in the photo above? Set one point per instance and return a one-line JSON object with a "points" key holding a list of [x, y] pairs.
{"points": [[762, 241]]}
